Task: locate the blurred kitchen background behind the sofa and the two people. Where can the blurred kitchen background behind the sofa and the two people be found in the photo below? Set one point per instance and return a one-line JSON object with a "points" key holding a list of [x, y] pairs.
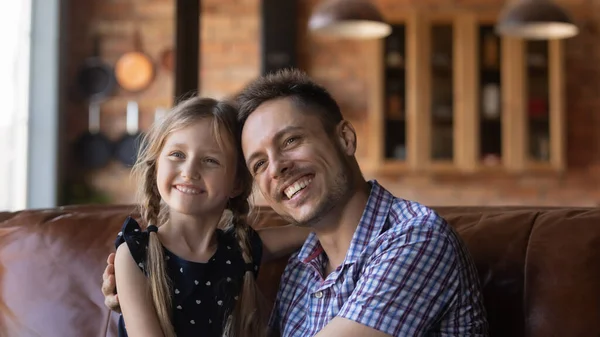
{"points": [[448, 110]]}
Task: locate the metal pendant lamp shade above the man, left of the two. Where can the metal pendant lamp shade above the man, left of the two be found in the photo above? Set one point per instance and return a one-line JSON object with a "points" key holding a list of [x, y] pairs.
{"points": [[354, 19]]}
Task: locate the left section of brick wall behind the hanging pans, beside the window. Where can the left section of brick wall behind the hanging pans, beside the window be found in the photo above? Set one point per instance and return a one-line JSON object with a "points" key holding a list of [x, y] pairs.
{"points": [[115, 21]]}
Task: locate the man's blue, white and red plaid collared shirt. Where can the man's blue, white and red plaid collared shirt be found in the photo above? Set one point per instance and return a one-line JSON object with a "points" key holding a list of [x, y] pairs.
{"points": [[406, 273]]}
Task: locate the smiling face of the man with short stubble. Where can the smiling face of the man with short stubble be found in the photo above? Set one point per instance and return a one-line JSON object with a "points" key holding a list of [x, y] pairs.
{"points": [[301, 170]]}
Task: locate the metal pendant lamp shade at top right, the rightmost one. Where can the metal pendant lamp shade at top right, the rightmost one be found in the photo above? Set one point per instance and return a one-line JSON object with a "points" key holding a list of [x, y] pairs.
{"points": [[536, 20]]}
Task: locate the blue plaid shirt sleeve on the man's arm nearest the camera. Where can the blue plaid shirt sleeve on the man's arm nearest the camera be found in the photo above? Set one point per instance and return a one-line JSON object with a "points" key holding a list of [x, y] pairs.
{"points": [[408, 283]]}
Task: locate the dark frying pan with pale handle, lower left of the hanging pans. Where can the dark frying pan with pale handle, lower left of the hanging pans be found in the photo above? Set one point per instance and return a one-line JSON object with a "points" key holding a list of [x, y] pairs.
{"points": [[93, 148]]}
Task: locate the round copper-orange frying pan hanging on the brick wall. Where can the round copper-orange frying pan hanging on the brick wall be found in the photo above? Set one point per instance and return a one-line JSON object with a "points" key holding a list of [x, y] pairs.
{"points": [[134, 70]]}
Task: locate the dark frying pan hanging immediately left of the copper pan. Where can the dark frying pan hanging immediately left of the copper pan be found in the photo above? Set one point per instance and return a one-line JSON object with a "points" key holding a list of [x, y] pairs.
{"points": [[95, 78]]}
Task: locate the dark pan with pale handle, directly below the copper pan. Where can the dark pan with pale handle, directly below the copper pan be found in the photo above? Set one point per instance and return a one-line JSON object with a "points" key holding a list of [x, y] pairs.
{"points": [[126, 149]]}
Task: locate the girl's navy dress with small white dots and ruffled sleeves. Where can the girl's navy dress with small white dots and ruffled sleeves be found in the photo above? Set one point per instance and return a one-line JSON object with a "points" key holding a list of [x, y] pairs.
{"points": [[204, 294]]}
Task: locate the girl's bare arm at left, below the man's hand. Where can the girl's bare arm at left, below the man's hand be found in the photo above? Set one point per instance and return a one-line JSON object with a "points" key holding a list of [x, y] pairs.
{"points": [[134, 297]]}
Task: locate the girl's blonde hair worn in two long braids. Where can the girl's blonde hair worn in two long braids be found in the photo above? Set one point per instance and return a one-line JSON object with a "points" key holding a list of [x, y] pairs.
{"points": [[249, 315]]}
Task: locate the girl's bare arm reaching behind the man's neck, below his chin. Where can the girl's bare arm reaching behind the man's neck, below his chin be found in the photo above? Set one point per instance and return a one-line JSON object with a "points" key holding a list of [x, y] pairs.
{"points": [[281, 241]]}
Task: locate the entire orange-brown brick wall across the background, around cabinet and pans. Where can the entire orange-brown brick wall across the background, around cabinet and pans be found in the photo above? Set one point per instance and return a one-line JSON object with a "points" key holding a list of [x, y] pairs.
{"points": [[230, 58]]}
